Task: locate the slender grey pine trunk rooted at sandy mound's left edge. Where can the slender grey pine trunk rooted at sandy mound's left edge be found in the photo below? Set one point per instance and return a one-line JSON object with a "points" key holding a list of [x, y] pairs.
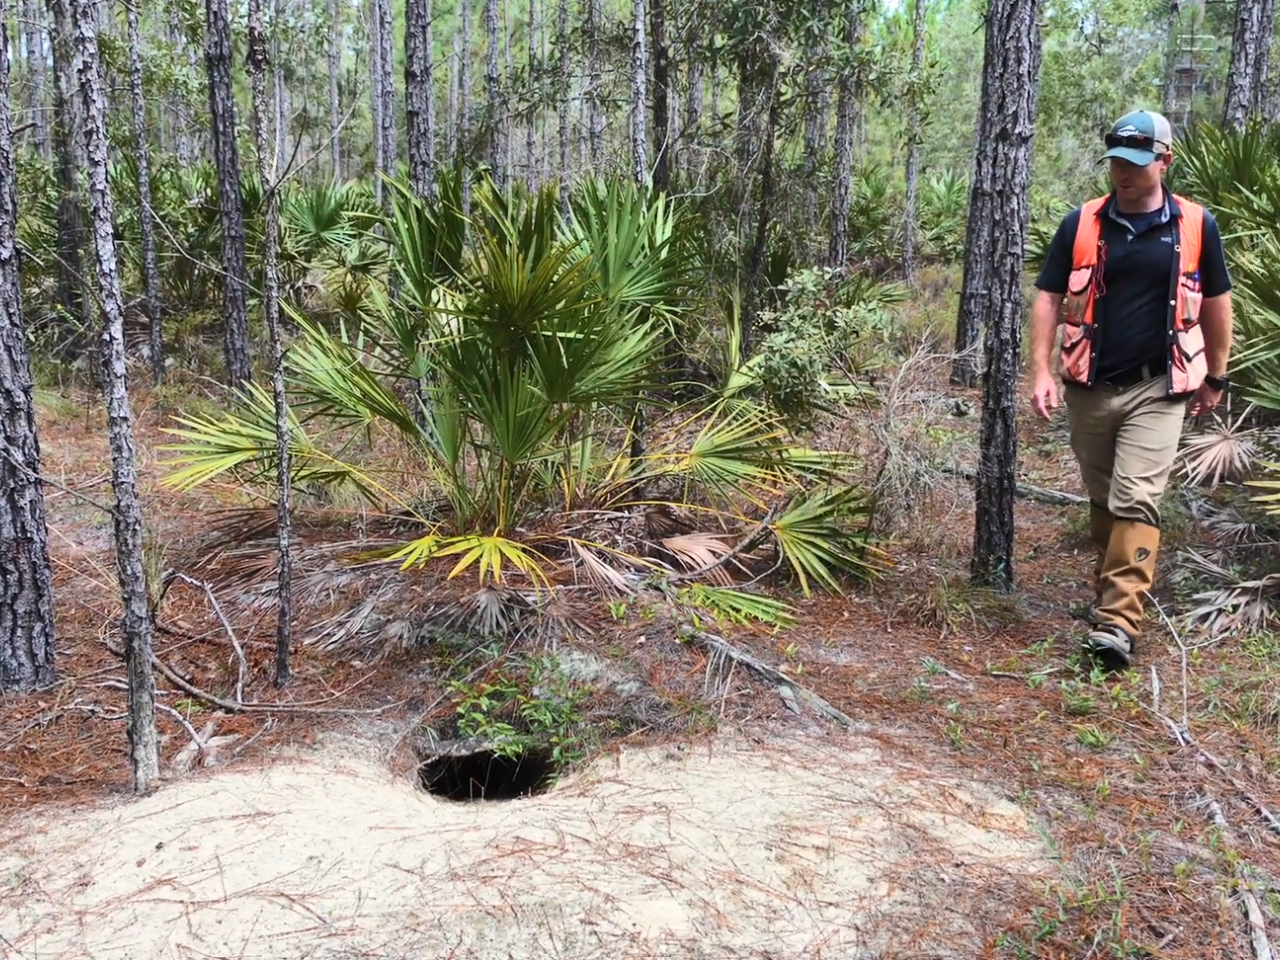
{"points": [[136, 621]]}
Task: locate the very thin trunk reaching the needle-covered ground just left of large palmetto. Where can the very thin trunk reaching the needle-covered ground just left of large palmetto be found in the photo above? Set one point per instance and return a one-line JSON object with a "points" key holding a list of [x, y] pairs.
{"points": [[258, 65]]}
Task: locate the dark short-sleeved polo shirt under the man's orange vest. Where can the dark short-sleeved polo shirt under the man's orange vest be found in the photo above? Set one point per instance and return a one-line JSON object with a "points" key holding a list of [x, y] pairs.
{"points": [[1132, 313]]}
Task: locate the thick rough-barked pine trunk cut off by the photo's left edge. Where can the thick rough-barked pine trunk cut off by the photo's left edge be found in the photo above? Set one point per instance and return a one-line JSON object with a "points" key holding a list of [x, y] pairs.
{"points": [[26, 577]]}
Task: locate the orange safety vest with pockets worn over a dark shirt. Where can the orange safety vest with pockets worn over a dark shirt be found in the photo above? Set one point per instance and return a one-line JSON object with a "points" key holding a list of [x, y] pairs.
{"points": [[1187, 364]]}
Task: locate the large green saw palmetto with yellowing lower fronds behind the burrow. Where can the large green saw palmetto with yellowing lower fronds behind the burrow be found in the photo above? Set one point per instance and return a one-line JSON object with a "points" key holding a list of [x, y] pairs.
{"points": [[487, 386]]}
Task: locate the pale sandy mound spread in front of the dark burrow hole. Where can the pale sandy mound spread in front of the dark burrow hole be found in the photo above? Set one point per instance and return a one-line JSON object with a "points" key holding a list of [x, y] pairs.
{"points": [[806, 849]]}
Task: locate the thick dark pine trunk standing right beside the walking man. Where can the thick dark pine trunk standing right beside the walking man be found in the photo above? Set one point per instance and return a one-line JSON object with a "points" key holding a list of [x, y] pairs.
{"points": [[998, 235]]}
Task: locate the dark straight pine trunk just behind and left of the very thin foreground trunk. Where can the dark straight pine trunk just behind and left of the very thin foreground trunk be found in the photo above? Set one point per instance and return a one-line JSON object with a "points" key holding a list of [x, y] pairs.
{"points": [[222, 111]]}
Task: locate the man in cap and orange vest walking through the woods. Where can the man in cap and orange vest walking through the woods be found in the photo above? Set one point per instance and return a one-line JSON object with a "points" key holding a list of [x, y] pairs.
{"points": [[1148, 326]]}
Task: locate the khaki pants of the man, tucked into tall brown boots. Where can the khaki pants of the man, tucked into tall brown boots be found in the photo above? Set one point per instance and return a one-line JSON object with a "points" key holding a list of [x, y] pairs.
{"points": [[1126, 441]]}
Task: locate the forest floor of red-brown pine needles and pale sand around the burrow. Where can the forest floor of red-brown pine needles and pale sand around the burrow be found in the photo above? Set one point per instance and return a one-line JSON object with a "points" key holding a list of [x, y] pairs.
{"points": [[996, 799]]}
